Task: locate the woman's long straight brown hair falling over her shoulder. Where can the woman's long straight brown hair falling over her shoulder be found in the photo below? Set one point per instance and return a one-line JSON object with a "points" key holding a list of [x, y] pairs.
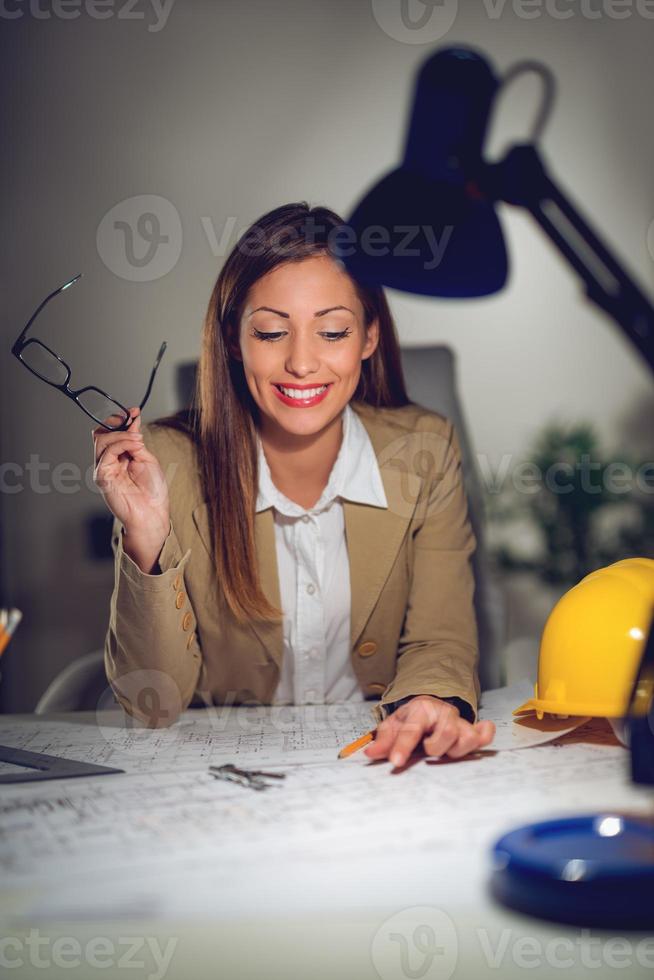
{"points": [[224, 416]]}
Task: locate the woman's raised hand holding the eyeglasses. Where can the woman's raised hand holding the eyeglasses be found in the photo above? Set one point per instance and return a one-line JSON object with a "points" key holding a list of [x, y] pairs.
{"points": [[134, 489]]}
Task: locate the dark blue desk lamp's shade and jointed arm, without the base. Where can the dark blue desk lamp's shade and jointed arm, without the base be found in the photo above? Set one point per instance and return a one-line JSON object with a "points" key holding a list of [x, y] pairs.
{"points": [[446, 192]]}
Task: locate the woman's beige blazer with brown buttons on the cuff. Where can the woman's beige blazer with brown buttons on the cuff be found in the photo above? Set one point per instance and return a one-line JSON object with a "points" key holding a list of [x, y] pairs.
{"points": [[172, 642]]}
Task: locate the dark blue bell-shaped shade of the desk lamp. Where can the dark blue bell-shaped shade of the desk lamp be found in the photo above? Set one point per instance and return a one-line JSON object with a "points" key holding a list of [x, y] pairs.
{"points": [[425, 227]]}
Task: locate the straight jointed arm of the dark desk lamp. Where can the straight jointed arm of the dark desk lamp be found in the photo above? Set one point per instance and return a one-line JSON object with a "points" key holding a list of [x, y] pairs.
{"points": [[521, 179]]}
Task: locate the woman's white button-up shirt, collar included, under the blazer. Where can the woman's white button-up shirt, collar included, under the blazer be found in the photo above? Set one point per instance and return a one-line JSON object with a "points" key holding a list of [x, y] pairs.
{"points": [[314, 572]]}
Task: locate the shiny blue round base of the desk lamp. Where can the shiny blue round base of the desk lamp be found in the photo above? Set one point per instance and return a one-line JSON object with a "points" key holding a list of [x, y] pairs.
{"points": [[591, 870]]}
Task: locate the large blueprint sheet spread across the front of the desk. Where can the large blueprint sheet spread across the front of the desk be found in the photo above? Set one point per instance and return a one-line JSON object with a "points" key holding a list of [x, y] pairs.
{"points": [[175, 842]]}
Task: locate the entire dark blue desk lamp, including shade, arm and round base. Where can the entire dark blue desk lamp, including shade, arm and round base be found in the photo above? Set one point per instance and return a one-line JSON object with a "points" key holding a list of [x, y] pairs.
{"points": [[430, 227]]}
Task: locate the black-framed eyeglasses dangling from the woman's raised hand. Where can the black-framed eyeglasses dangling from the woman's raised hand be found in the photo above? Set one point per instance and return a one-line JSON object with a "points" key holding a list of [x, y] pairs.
{"points": [[51, 368]]}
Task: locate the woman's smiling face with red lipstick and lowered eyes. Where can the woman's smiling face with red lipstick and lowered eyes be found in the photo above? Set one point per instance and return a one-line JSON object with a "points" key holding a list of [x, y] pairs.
{"points": [[302, 340]]}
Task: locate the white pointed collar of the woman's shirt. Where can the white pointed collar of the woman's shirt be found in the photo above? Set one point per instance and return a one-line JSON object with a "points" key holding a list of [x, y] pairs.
{"points": [[354, 476]]}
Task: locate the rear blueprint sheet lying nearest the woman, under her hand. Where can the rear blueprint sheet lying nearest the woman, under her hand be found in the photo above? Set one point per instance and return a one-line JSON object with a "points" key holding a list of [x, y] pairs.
{"points": [[284, 735]]}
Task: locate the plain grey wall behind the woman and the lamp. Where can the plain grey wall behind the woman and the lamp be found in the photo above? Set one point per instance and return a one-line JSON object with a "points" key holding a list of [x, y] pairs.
{"points": [[226, 110]]}
